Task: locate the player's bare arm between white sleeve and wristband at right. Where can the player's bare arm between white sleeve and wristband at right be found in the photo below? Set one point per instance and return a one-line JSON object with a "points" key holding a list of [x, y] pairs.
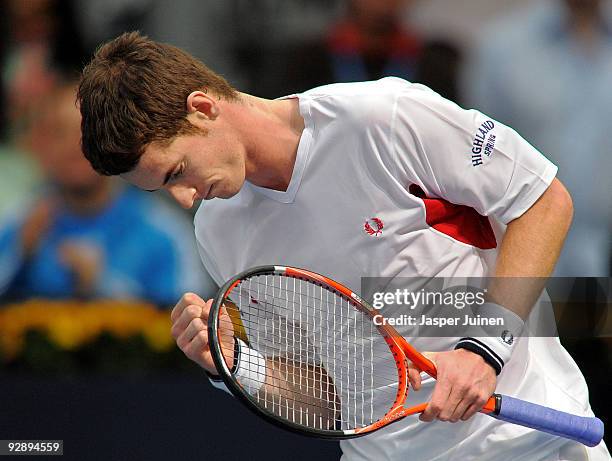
{"points": [[529, 250]]}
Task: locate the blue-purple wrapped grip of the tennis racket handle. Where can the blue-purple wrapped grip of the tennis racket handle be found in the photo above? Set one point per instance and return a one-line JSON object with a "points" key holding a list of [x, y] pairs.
{"points": [[586, 430]]}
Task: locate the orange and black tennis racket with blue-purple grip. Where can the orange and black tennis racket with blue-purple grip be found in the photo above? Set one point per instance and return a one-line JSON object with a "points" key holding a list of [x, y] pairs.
{"points": [[308, 356]]}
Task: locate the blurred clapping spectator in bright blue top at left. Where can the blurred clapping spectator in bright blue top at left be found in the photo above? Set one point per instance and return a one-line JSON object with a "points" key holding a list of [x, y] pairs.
{"points": [[87, 236]]}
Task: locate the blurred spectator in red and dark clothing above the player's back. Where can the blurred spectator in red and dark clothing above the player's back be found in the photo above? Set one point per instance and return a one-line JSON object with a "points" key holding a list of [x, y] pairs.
{"points": [[368, 43]]}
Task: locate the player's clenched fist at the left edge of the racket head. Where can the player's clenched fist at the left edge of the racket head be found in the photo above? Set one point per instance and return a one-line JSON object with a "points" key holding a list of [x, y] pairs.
{"points": [[190, 331]]}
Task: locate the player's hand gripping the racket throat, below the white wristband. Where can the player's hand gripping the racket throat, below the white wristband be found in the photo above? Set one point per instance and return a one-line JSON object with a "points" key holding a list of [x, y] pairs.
{"points": [[464, 384]]}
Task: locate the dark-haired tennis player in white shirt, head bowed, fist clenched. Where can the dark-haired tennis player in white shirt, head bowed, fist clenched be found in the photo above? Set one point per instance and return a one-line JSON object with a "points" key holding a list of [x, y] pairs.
{"points": [[302, 175]]}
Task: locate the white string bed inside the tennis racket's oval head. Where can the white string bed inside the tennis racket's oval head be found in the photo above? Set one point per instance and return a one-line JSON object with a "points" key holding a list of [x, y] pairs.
{"points": [[322, 354]]}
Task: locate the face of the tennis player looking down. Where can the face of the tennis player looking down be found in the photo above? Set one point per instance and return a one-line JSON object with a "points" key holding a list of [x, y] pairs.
{"points": [[194, 166]]}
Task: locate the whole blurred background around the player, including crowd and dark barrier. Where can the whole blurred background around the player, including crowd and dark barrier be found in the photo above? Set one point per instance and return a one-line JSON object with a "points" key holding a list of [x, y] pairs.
{"points": [[89, 266]]}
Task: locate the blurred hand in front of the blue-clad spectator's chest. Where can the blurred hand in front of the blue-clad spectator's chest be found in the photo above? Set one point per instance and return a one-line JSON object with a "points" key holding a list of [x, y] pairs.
{"points": [[84, 260]]}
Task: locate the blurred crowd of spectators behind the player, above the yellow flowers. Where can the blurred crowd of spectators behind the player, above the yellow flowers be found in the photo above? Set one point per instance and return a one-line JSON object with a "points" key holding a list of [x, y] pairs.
{"points": [[544, 67]]}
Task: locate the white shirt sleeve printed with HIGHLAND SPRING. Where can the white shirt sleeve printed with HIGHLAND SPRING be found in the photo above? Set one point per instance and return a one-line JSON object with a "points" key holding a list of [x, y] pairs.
{"points": [[466, 157]]}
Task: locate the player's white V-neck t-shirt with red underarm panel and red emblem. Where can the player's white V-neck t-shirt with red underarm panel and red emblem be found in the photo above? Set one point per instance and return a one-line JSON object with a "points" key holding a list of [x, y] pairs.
{"points": [[392, 180]]}
